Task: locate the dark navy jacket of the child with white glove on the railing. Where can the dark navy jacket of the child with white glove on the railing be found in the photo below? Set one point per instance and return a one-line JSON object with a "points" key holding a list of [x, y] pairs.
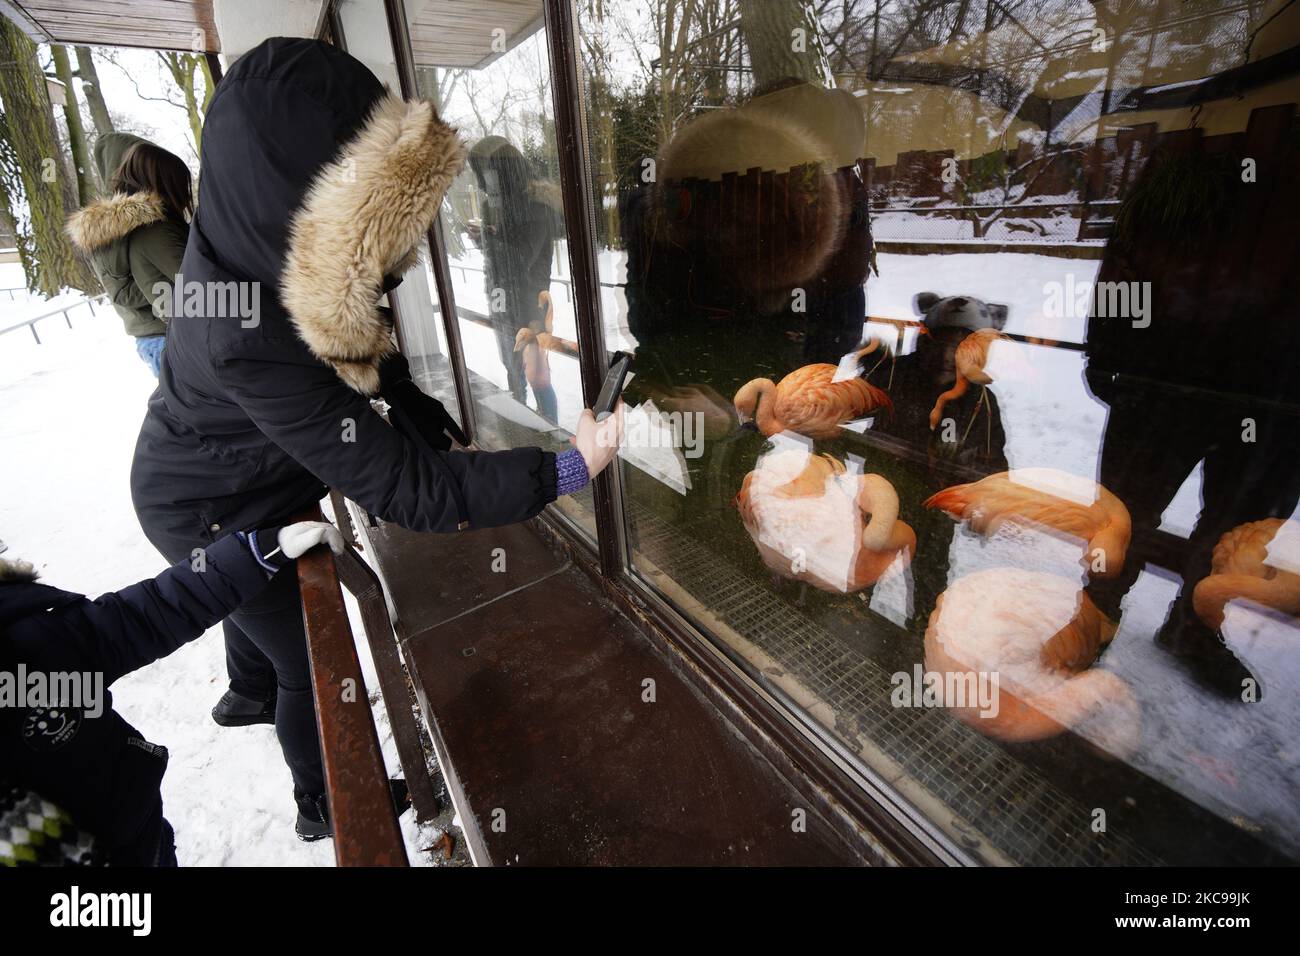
{"points": [[97, 767]]}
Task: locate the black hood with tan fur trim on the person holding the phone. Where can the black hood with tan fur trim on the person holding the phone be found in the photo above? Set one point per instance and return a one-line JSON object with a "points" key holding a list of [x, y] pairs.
{"points": [[319, 184]]}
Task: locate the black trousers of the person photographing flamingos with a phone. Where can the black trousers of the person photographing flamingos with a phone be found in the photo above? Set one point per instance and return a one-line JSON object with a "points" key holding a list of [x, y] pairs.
{"points": [[267, 657]]}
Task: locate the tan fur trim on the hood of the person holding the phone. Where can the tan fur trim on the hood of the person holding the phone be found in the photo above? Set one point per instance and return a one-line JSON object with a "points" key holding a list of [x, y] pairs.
{"points": [[361, 222]]}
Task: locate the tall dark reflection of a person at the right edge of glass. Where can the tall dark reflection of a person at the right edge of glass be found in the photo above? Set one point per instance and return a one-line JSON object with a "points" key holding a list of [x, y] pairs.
{"points": [[1207, 375]]}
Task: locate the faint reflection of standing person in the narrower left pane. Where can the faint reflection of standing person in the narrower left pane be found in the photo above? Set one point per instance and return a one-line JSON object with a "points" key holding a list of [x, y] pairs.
{"points": [[521, 217]]}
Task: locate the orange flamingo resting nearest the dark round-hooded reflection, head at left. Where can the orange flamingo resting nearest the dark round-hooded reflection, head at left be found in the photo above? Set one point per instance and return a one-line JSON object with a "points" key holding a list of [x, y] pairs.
{"points": [[811, 400]]}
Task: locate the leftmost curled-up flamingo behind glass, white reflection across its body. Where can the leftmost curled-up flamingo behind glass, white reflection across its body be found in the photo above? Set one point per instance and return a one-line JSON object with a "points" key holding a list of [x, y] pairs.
{"points": [[814, 524]]}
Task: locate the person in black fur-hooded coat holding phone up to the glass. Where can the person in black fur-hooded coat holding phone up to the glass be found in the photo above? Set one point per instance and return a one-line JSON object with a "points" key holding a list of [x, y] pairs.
{"points": [[319, 188]]}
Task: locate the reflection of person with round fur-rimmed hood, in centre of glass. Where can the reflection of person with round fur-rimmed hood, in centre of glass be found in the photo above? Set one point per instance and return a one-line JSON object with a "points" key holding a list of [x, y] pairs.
{"points": [[749, 246]]}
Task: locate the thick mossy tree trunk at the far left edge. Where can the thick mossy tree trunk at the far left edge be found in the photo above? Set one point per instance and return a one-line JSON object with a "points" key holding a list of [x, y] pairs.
{"points": [[31, 128]]}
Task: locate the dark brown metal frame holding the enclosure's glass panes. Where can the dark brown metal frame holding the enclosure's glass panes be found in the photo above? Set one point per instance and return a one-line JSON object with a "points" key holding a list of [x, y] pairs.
{"points": [[881, 815]]}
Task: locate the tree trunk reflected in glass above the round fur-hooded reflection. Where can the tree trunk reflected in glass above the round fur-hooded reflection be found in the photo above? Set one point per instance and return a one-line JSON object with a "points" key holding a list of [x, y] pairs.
{"points": [[785, 42]]}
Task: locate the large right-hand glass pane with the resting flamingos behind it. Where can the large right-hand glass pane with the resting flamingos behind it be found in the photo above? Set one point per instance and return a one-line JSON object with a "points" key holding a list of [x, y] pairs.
{"points": [[965, 364]]}
